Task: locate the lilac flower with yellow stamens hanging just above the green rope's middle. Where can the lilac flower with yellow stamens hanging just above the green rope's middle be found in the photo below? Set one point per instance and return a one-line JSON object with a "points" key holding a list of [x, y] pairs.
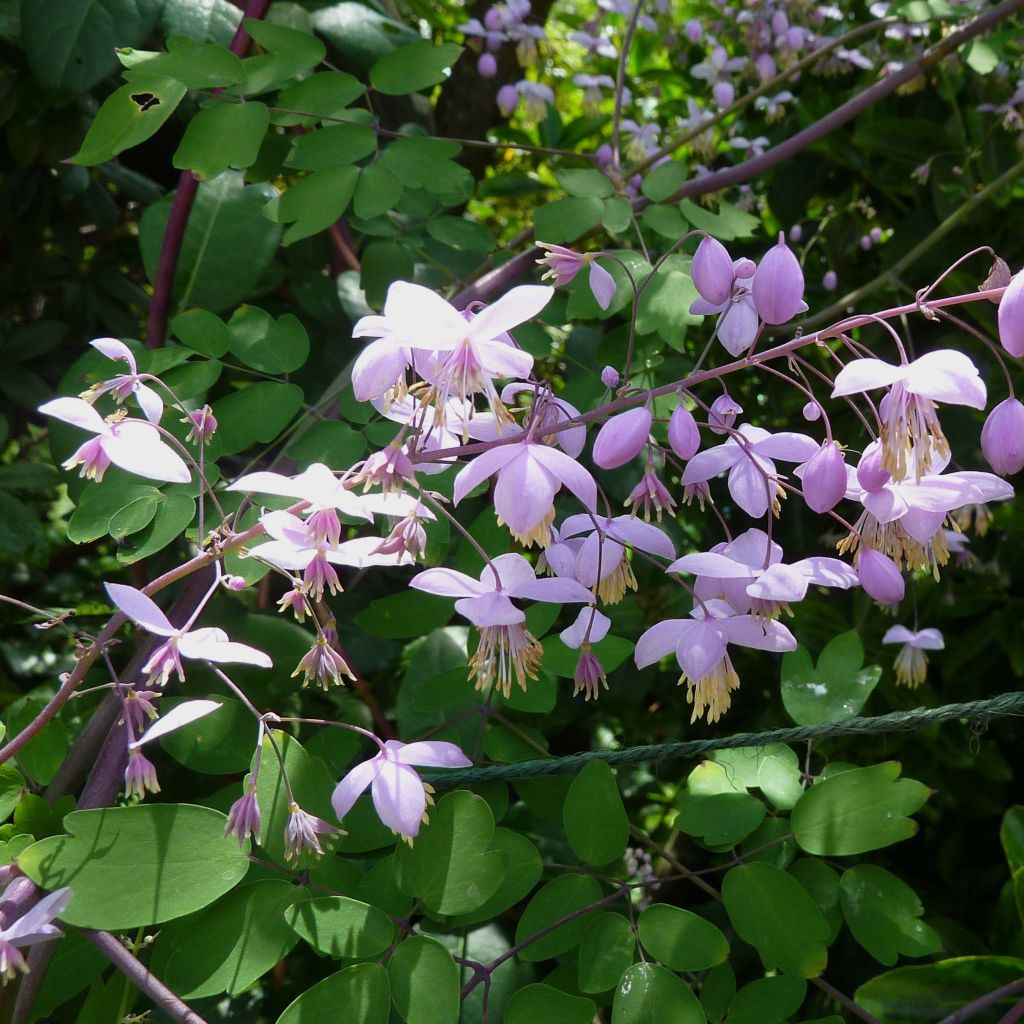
{"points": [[701, 647]]}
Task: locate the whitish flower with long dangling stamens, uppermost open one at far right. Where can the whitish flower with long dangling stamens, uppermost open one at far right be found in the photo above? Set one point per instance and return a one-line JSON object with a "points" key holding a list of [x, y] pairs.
{"points": [[912, 435]]}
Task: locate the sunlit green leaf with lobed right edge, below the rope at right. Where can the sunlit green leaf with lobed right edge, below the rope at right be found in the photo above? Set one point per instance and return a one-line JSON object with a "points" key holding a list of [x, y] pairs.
{"points": [[859, 810]]}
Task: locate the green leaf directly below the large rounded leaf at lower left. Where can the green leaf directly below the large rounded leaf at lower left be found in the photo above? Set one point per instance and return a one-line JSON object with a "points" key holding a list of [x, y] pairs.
{"points": [[232, 944]]}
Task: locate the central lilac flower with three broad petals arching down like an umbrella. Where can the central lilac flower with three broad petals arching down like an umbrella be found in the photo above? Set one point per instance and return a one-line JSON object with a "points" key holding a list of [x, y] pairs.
{"points": [[529, 478]]}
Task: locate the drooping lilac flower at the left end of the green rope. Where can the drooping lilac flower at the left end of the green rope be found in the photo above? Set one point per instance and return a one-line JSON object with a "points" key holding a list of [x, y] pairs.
{"points": [[400, 796]]}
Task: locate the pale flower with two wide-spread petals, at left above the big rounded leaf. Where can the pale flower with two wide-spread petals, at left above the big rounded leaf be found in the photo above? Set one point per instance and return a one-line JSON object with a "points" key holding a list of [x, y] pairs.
{"points": [[209, 645]]}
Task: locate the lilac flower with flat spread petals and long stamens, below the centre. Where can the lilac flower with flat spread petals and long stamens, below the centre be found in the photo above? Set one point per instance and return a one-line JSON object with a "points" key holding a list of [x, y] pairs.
{"points": [[507, 651]]}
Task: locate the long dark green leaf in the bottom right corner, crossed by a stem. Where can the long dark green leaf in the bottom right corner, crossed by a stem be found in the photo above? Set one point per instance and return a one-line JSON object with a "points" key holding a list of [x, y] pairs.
{"points": [[927, 994]]}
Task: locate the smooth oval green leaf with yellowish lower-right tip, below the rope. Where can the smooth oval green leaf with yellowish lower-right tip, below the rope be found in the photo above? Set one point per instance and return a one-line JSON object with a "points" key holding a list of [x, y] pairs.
{"points": [[774, 913]]}
